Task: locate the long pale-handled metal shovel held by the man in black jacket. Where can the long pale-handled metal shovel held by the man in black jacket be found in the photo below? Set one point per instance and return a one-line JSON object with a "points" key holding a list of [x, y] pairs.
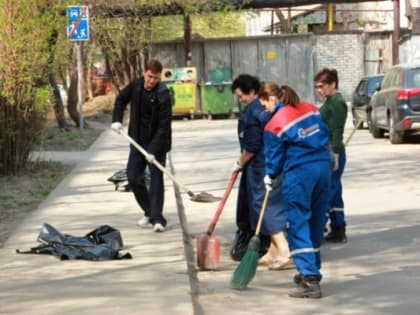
{"points": [[201, 197]]}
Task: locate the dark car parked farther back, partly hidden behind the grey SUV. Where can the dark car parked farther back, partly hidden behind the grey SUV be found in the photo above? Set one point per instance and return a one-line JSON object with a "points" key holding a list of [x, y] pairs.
{"points": [[361, 98]]}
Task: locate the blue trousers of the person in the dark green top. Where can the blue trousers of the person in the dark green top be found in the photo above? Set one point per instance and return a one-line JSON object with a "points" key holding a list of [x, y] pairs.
{"points": [[336, 203]]}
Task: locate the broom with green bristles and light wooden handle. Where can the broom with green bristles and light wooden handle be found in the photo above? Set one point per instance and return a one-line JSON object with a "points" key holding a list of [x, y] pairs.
{"points": [[246, 269]]}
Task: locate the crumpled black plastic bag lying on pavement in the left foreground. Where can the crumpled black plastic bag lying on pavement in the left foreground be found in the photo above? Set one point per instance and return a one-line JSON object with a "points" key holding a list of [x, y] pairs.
{"points": [[103, 243]]}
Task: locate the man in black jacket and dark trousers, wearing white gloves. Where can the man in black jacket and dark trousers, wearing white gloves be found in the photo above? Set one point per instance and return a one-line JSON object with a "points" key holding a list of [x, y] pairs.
{"points": [[149, 126]]}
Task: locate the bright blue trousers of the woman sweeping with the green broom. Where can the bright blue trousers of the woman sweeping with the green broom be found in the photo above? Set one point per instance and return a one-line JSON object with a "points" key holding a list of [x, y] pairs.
{"points": [[305, 194]]}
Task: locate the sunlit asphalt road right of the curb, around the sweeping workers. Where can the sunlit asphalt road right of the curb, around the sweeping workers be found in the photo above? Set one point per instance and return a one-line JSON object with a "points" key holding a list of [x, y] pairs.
{"points": [[376, 272]]}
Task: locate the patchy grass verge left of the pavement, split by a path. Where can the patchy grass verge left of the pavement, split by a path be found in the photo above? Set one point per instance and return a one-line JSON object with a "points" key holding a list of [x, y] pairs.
{"points": [[19, 195]]}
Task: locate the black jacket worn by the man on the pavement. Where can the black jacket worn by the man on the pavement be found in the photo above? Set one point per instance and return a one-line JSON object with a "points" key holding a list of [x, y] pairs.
{"points": [[150, 120]]}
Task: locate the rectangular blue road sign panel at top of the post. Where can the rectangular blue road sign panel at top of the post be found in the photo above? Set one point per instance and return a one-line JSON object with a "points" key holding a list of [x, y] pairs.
{"points": [[78, 23]]}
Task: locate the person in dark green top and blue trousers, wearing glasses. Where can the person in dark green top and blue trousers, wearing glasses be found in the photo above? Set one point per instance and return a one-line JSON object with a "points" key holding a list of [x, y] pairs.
{"points": [[334, 113]]}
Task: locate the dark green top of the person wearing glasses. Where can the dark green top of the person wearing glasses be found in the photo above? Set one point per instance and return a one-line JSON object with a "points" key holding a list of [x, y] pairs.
{"points": [[334, 113]]}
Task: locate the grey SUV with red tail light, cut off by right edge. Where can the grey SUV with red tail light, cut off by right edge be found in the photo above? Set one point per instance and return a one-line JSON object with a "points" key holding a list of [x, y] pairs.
{"points": [[395, 107]]}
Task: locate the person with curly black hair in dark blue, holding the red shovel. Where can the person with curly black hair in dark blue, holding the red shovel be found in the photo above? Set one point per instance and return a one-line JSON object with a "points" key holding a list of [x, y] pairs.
{"points": [[251, 163]]}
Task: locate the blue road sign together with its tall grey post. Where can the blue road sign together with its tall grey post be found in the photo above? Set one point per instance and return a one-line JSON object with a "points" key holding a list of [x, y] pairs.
{"points": [[78, 31]]}
